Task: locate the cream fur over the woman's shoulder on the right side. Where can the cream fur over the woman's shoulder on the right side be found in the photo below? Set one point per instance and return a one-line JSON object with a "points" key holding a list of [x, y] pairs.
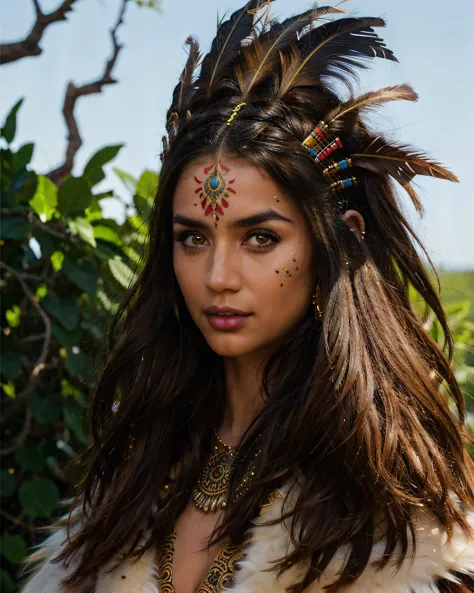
{"points": [[435, 558]]}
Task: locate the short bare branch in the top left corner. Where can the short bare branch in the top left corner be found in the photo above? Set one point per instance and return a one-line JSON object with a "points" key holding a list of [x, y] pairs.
{"points": [[11, 52]]}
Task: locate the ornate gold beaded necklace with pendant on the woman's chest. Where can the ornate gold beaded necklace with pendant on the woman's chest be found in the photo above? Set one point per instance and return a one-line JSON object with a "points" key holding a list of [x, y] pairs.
{"points": [[210, 492]]}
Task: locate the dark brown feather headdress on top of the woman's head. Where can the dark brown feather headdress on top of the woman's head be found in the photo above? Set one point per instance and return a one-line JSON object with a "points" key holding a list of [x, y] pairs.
{"points": [[263, 59]]}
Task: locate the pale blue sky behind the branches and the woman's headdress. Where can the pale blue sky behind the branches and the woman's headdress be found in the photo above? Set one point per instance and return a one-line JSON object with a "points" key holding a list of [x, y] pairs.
{"points": [[434, 45]]}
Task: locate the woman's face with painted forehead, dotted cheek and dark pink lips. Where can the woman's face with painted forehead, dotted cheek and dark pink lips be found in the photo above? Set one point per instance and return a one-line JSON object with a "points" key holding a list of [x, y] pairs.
{"points": [[255, 256]]}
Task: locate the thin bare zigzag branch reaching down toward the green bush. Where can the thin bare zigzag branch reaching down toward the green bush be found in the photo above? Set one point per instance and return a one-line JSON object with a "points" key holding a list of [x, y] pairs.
{"points": [[72, 95]]}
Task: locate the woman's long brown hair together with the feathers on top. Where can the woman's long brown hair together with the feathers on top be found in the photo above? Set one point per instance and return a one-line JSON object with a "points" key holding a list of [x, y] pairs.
{"points": [[361, 405]]}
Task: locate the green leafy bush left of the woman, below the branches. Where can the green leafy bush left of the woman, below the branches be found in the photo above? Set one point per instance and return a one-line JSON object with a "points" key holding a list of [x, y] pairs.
{"points": [[64, 269]]}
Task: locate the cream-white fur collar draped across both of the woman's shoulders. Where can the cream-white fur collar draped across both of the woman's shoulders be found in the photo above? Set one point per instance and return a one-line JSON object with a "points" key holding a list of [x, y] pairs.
{"points": [[436, 558]]}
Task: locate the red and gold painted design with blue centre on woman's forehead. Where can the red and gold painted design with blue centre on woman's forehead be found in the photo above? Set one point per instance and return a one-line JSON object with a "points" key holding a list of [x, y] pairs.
{"points": [[215, 188]]}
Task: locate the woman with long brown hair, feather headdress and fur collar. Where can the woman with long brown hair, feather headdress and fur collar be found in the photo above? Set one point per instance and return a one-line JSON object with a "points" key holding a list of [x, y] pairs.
{"points": [[287, 427]]}
